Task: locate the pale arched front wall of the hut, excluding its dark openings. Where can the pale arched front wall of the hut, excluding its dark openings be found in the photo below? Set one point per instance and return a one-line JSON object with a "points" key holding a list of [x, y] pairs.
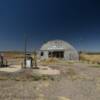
{"points": [[58, 45]]}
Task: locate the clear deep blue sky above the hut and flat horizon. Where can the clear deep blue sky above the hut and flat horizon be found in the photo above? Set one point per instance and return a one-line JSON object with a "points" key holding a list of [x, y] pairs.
{"points": [[75, 21]]}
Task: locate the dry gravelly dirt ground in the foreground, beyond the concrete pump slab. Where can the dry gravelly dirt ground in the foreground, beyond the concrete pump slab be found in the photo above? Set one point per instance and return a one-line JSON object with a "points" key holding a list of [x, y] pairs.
{"points": [[79, 81]]}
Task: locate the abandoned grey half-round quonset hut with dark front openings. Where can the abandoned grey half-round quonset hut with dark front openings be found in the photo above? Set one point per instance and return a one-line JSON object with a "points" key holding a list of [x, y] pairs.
{"points": [[58, 49]]}
